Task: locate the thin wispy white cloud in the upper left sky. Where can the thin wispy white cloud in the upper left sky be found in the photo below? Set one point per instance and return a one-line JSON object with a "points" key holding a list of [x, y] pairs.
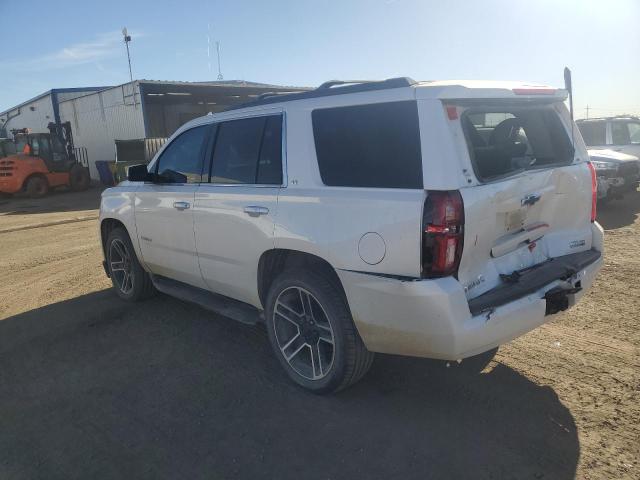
{"points": [[101, 47]]}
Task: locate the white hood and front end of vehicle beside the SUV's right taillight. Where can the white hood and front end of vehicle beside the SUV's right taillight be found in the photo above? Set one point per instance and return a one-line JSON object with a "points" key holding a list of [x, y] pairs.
{"points": [[617, 173]]}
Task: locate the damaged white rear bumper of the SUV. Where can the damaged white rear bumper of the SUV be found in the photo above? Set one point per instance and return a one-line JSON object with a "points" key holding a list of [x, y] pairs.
{"points": [[432, 318]]}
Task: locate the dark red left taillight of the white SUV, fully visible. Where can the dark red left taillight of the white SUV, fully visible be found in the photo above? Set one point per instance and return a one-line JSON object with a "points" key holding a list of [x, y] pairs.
{"points": [[442, 234]]}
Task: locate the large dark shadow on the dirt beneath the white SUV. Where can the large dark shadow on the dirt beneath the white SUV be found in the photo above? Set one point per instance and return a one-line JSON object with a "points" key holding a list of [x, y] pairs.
{"points": [[96, 388]]}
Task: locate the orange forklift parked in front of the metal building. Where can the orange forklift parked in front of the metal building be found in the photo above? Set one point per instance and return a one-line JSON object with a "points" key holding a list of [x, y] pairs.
{"points": [[37, 162]]}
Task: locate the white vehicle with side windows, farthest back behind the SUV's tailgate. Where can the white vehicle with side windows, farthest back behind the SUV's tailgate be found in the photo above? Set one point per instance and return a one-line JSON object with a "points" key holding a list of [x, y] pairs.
{"points": [[621, 134]]}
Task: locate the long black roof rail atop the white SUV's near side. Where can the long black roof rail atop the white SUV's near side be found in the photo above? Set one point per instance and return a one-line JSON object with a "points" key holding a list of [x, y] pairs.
{"points": [[342, 87]]}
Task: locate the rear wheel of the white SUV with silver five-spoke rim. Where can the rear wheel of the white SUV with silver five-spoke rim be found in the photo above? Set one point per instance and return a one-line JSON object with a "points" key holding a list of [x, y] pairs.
{"points": [[312, 333]]}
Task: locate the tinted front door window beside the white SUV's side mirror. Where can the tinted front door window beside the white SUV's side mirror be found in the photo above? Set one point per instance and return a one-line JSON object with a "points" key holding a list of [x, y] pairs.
{"points": [[184, 155]]}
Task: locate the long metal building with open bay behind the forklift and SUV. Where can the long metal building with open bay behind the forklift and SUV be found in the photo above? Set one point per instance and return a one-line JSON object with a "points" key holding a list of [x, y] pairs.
{"points": [[133, 110]]}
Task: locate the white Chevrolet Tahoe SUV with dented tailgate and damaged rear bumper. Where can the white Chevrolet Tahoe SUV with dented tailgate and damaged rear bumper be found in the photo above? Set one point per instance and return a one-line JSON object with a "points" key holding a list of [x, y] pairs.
{"points": [[432, 219]]}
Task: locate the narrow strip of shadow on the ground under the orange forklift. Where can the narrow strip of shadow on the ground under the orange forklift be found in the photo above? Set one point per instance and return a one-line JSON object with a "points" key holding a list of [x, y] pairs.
{"points": [[55, 201]]}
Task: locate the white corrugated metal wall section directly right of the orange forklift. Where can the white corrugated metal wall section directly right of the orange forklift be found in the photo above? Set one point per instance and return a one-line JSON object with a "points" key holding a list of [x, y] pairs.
{"points": [[100, 118]]}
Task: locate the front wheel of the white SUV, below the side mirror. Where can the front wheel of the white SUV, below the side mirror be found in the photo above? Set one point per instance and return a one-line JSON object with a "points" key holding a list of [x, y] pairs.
{"points": [[130, 281]]}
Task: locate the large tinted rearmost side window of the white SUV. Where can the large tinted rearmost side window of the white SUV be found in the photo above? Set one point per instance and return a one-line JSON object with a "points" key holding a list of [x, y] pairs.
{"points": [[375, 145]]}
